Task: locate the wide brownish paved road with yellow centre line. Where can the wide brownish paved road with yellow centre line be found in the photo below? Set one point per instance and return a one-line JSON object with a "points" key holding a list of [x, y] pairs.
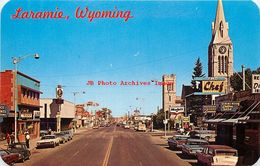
{"points": [[110, 146]]}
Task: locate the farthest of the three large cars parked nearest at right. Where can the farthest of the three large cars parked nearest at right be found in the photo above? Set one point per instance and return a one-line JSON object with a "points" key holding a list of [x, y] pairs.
{"points": [[177, 141]]}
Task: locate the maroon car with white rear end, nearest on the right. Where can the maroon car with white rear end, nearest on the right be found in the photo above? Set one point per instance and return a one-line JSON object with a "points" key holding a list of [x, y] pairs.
{"points": [[217, 155]]}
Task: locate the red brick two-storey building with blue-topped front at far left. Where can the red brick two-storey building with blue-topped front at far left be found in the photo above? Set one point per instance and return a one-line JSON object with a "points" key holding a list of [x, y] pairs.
{"points": [[27, 92]]}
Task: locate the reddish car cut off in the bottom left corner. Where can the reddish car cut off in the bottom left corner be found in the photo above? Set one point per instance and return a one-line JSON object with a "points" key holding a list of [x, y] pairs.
{"points": [[8, 157]]}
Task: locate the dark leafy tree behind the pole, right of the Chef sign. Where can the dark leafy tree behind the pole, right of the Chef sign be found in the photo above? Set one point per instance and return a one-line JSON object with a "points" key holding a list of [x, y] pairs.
{"points": [[237, 82]]}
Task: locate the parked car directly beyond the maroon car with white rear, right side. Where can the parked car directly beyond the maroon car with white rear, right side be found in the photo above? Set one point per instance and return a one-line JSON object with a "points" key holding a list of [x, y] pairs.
{"points": [[193, 145]]}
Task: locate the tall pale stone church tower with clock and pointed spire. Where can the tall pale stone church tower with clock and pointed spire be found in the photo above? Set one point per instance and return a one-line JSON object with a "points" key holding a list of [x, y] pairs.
{"points": [[220, 51]]}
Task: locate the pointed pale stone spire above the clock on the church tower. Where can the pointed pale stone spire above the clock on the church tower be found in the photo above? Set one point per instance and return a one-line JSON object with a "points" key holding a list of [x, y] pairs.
{"points": [[220, 26]]}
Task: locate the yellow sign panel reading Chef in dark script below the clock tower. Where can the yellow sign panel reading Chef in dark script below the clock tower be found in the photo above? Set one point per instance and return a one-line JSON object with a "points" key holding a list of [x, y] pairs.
{"points": [[214, 86]]}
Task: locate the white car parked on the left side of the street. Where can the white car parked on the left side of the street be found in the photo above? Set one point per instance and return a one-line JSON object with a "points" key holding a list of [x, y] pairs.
{"points": [[48, 141]]}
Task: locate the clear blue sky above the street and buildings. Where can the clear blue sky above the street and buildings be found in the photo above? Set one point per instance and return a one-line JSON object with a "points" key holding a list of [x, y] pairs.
{"points": [[164, 37]]}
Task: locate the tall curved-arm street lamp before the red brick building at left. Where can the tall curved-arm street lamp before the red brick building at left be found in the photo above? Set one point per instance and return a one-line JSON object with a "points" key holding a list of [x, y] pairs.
{"points": [[16, 60]]}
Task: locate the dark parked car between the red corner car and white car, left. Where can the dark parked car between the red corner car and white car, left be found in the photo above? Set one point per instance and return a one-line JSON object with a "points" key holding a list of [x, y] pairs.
{"points": [[20, 148]]}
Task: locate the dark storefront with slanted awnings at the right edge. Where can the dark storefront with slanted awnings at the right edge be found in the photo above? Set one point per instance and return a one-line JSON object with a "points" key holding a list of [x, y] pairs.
{"points": [[237, 124]]}
